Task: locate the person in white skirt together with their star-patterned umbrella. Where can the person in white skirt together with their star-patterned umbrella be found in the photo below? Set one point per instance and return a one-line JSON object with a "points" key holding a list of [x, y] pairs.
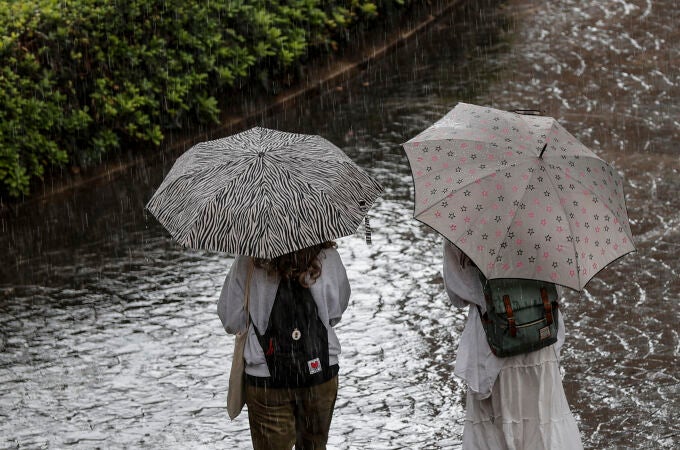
{"points": [[516, 197]]}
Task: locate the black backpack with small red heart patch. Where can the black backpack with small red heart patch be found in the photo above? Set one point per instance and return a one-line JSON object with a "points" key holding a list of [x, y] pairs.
{"points": [[295, 343]]}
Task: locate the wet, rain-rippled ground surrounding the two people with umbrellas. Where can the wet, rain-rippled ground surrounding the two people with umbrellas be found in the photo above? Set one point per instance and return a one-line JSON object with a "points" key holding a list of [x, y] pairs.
{"points": [[108, 331]]}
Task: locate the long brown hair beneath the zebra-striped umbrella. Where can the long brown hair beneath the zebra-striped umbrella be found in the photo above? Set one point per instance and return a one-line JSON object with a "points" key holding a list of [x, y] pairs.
{"points": [[302, 264]]}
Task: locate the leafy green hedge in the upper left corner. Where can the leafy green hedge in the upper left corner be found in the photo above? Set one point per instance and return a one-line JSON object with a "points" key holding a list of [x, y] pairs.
{"points": [[83, 78]]}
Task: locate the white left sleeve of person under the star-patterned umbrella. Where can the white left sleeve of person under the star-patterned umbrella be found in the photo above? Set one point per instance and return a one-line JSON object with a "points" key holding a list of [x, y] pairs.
{"points": [[462, 283]]}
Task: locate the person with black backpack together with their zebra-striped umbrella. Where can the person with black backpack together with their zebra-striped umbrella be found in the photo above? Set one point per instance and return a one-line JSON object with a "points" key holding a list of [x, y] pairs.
{"points": [[277, 201]]}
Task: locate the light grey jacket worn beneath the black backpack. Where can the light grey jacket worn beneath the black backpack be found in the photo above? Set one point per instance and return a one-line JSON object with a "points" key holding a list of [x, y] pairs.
{"points": [[331, 293]]}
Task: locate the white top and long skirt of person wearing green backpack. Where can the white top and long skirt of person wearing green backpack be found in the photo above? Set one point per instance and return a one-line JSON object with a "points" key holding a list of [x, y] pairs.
{"points": [[516, 402]]}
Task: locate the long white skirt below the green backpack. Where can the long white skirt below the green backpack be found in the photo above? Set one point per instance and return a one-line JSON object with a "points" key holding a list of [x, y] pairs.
{"points": [[527, 408]]}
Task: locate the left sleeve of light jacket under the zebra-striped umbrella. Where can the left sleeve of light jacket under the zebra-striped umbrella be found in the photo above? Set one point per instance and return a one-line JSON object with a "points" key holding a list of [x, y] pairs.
{"points": [[230, 307]]}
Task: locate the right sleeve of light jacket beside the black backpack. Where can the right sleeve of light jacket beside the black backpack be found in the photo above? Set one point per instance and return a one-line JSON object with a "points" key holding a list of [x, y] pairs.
{"points": [[335, 287]]}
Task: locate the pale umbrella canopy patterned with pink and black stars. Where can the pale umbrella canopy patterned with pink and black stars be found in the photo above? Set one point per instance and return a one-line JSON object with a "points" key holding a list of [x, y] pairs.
{"points": [[519, 195]]}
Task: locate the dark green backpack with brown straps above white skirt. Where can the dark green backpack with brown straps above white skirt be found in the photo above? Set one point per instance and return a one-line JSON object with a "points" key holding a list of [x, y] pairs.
{"points": [[521, 315]]}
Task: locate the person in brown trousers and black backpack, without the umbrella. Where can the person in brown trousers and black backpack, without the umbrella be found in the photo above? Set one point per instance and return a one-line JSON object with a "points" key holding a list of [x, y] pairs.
{"points": [[291, 352]]}
